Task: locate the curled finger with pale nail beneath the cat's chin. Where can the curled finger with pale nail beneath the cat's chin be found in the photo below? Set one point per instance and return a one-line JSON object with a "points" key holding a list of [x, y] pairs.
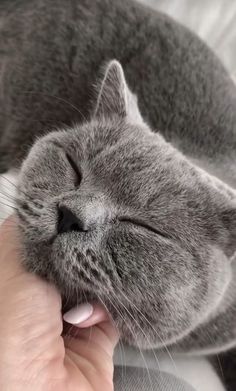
{"points": [[92, 346]]}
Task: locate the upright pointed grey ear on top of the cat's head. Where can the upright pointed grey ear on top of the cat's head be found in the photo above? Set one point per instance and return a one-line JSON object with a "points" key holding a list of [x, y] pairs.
{"points": [[115, 97]]}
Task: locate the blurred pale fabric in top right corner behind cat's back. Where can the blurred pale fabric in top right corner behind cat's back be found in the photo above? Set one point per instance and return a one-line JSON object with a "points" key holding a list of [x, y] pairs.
{"points": [[213, 20]]}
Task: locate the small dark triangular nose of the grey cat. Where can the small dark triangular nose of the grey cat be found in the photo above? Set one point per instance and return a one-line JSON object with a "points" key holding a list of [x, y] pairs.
{"points": [[68, 221]]}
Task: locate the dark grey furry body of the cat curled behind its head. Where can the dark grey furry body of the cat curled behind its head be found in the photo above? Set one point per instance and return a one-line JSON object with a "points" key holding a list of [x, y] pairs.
{"points": [[54, 51]]}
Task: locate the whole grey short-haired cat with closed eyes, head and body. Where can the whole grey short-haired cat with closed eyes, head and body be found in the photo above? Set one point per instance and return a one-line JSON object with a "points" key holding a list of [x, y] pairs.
{"points": [[129, 204]]}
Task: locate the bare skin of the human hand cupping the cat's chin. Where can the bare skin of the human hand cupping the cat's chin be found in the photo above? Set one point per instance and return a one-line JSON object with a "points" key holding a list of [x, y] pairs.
{"points": [[33, 353]]}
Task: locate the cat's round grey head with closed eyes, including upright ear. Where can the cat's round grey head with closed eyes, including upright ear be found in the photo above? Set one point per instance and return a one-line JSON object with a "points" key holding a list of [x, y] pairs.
{"points": [[109, 211]]}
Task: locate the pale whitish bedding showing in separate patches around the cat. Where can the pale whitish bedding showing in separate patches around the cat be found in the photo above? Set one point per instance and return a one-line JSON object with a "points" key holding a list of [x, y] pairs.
{"points": [[215, 22]]}
